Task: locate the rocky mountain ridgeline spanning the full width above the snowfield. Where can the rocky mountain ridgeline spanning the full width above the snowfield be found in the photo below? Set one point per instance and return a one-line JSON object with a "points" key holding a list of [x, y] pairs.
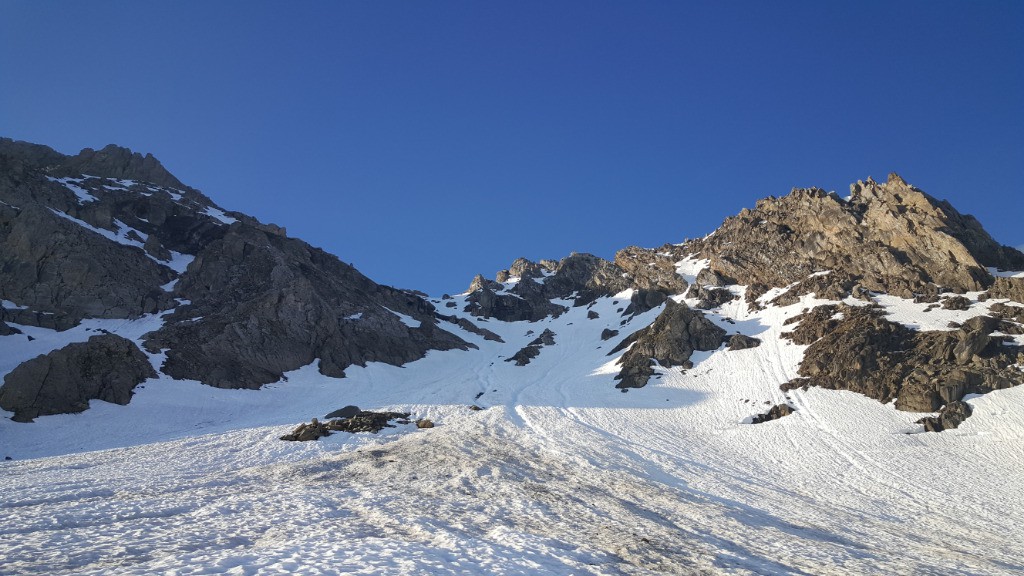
{"points": [[237, 304]]}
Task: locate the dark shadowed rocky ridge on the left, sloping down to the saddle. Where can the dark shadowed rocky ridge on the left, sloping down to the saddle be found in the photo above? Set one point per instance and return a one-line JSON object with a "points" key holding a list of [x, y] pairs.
{"points": [[111, 234]]}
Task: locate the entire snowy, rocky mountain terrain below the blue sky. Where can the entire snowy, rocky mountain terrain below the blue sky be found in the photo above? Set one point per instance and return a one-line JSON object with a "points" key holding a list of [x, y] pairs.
{"points": [[823, 386]]}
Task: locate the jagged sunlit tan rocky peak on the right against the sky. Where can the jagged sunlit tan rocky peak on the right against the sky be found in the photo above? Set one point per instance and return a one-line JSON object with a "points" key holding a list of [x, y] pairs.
{"points": [[885, 237]]}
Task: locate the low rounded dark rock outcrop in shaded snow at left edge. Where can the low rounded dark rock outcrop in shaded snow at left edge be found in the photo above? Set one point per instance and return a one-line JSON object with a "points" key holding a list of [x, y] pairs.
{"points": [[107, 367]]}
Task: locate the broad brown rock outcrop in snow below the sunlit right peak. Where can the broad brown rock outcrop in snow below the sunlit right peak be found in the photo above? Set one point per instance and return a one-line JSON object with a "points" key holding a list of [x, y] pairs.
{"points": [[857, 349]]}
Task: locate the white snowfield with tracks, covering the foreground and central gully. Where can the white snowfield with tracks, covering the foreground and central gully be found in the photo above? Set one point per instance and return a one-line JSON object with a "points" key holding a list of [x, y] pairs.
{"points": [[561, 473]]}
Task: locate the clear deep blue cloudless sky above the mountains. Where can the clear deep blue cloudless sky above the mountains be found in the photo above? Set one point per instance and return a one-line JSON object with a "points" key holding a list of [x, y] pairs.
{"points": [[428, 142]]}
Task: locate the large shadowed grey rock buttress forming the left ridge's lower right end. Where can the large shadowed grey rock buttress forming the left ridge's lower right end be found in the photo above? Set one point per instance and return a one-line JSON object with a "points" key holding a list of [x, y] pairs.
{"points": [[264, 305]]}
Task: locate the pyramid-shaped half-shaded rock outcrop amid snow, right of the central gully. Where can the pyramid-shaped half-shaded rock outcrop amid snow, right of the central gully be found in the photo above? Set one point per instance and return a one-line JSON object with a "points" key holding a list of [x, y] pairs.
{"points": [[671, 341]]}
